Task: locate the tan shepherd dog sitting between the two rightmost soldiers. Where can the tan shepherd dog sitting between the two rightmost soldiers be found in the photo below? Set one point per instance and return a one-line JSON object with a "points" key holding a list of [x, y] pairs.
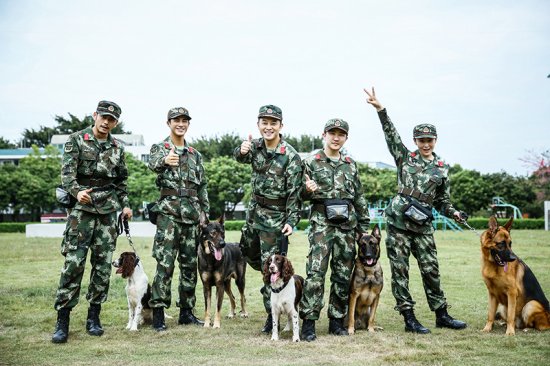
{"points": [[367, 282]]}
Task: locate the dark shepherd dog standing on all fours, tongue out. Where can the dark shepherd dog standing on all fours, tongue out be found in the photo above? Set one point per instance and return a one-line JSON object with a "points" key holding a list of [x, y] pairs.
{"points": [[218, 263]]}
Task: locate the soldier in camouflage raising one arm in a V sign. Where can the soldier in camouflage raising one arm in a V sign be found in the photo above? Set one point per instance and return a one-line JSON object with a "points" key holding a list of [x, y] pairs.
{"points": [[423, 183]]}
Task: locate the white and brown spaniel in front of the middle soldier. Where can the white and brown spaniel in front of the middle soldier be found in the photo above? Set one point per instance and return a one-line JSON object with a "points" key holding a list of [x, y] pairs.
{"points": [[286, 293]]}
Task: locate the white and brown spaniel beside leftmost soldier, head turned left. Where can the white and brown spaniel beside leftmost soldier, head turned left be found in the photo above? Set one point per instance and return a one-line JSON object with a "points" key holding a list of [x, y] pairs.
{"points": [[138, 290]]}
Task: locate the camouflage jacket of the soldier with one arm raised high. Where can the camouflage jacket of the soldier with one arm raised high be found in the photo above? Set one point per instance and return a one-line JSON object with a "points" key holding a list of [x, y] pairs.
{"points": [[431, 178]]}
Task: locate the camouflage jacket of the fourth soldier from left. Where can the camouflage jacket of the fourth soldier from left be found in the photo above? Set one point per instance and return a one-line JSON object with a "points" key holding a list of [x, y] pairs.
{"points": [[337, 180]]}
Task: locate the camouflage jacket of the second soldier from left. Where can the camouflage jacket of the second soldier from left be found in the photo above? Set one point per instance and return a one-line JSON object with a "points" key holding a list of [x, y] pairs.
{"points": [[188, 175]]}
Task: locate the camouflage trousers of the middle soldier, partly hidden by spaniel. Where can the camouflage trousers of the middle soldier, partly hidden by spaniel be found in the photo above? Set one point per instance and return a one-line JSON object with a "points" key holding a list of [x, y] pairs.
{"points": [[257, 246]]}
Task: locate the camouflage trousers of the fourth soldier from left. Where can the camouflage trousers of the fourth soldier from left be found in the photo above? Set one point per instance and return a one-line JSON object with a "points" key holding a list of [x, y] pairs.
{"points": [[324, 242]]}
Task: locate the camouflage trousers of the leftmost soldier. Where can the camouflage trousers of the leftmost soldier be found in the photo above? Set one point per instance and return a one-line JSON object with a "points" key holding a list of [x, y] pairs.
{"points": [[84, 231]]}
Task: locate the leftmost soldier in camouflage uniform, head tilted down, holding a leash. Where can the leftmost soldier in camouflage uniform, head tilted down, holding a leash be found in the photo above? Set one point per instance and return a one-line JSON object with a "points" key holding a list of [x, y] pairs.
{"points": [[94, 172]]}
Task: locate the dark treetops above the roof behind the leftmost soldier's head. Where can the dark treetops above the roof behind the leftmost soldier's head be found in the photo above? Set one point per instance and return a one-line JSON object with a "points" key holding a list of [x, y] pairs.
{"points": [[43, 135]]}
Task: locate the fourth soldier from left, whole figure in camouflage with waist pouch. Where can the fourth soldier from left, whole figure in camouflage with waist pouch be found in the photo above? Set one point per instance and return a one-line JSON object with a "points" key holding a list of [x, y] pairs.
{"points": [[332, 183]]}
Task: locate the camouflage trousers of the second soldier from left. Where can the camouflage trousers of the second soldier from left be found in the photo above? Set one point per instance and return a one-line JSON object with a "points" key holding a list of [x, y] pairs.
{"points": [[174, 240]]}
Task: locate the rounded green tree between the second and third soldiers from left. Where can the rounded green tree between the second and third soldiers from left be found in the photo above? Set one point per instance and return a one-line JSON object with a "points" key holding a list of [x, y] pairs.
{"points": [[227, 182]]}
